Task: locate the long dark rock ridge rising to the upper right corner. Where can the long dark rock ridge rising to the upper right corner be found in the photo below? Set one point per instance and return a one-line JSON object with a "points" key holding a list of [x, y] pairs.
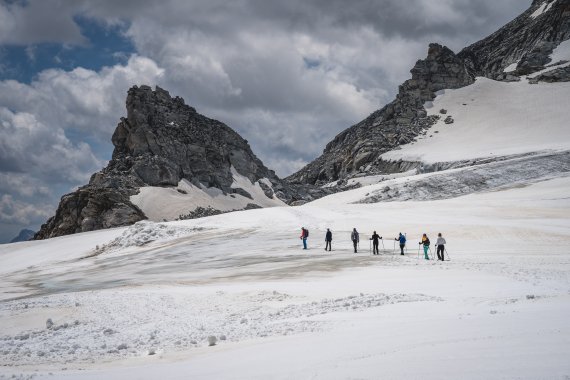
{"points": [[528, 40]]}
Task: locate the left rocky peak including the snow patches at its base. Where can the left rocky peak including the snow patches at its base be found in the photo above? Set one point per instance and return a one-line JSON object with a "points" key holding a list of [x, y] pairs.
{"points": [[171, 162]]}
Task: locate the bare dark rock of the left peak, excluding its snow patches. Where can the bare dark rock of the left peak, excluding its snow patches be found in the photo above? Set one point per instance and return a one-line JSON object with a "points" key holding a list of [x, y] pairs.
{"points": [[160, 142]]}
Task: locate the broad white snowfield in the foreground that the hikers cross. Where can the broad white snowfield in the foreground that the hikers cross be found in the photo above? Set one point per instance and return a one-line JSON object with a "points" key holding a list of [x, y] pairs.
{"points": [[147, 308]]}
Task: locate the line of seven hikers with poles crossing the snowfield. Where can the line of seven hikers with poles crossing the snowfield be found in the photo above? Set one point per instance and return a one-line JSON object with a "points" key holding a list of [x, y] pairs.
{"points": [[375, 238]]}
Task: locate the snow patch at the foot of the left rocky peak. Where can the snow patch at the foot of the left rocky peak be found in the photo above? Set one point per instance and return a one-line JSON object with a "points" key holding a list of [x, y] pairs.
{"points": [[167, 203]]}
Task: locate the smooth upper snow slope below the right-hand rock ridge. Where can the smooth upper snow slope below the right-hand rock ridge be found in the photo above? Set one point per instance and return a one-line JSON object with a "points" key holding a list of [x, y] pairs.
{"points": [[492, 119]]}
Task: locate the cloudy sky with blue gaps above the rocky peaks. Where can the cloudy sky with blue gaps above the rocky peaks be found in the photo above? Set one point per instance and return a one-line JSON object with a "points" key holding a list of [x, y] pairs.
{"points": [[287, 75]]}
